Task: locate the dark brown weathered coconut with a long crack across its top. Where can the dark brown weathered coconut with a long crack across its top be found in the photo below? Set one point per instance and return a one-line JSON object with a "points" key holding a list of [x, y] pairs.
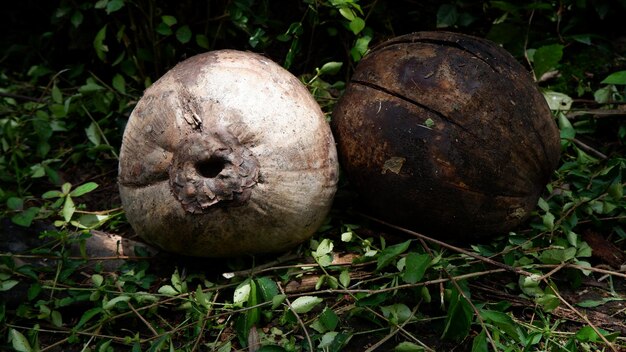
{"points": [[446, 134]]}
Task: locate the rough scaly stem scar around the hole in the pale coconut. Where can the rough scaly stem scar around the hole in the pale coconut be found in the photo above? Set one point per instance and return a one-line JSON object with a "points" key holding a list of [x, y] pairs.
{"points": [[211, 171]]}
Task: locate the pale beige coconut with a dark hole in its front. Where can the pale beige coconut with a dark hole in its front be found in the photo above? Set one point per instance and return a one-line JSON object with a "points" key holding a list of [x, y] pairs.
{"points": [[273, 155]]}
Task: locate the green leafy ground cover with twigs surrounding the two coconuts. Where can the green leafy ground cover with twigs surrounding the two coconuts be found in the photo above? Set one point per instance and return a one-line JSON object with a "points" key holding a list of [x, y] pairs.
{"points": [[69, 83]]}
